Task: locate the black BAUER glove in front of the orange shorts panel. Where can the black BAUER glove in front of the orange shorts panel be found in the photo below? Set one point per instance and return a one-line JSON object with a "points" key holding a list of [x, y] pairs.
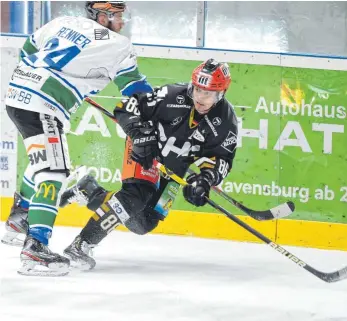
{"points": [[145, 144]]}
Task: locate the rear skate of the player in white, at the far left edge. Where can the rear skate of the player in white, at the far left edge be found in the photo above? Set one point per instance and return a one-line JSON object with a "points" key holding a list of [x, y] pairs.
{"points": [[17, 224]]}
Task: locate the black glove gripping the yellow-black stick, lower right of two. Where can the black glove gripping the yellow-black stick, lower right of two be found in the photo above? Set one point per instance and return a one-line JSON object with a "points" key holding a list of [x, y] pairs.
{"points": [[199, 186]]}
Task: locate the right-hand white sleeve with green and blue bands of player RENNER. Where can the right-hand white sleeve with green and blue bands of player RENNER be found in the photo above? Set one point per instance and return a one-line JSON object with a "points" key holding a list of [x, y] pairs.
{"points": [[126, 74]]}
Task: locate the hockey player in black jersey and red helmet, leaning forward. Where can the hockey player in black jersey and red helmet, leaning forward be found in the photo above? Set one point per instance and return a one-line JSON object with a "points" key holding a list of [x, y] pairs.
{"points": [[179, 123]]}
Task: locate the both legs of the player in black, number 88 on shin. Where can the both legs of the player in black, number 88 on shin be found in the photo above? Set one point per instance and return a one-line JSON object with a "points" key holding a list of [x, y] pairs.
{"points": [[138, 206]]}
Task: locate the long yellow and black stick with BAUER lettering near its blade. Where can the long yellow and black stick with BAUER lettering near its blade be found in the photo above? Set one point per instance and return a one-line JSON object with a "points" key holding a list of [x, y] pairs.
{"points": [[327, 277]]}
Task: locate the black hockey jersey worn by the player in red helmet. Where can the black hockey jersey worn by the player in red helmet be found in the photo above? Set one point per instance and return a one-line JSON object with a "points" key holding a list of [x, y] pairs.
{"points": [[184, 135]]}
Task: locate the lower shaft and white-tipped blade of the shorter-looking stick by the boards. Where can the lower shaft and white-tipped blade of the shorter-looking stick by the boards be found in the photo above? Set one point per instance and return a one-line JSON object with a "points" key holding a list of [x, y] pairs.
{"points": [[279, 211]]}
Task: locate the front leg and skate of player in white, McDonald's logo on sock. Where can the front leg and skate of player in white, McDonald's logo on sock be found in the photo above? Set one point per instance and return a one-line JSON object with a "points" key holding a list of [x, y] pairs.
{"points": [[46, 148]]}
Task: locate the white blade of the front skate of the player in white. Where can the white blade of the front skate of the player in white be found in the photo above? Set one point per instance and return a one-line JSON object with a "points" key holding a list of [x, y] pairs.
{"points": [[30, 268]]}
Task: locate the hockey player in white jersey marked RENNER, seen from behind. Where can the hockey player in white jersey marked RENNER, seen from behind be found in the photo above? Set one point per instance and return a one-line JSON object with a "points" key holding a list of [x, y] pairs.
{"points": [[62, 62]]}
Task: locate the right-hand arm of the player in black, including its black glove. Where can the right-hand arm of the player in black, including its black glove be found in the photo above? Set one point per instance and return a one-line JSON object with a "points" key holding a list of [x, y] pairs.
{"points": [[214, 167]]}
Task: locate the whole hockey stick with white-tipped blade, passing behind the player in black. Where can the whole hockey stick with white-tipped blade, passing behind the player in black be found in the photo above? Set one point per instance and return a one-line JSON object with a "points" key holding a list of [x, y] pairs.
{"points": [[279, 211]]}
